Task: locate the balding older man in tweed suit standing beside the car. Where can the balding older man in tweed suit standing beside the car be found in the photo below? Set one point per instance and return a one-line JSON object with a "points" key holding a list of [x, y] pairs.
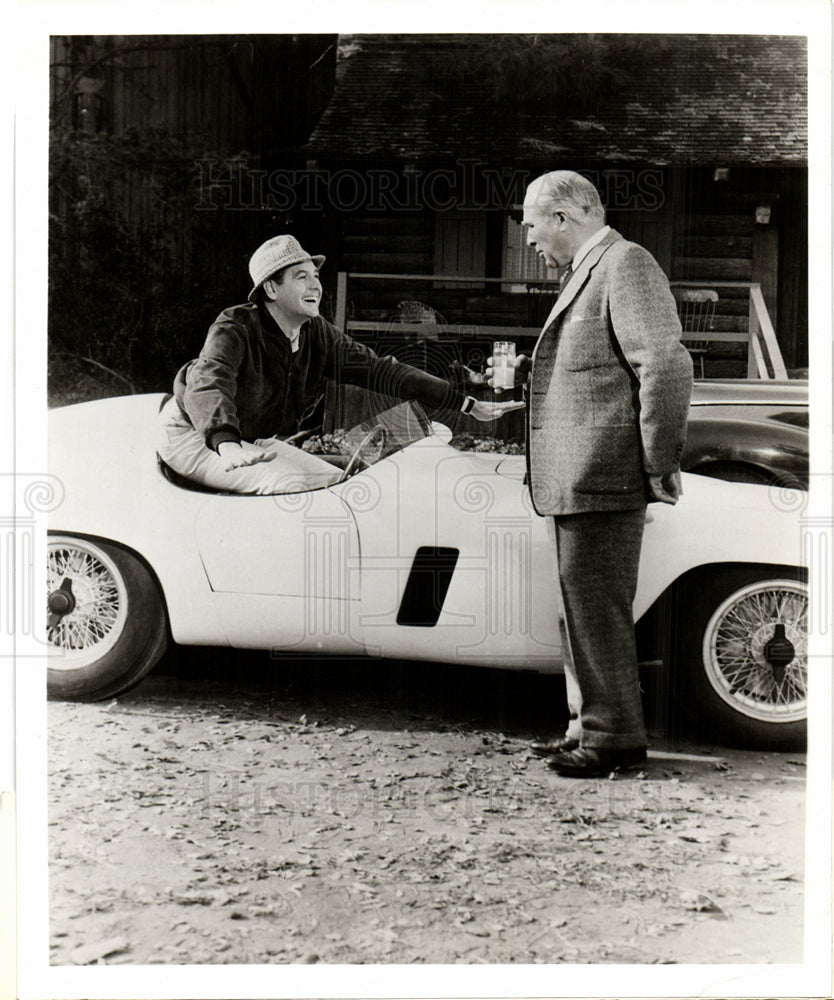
{"points": [[608, 394]]}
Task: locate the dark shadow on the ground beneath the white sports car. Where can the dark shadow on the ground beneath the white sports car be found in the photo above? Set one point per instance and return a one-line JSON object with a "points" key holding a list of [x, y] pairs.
{"points": [[390, 694]]}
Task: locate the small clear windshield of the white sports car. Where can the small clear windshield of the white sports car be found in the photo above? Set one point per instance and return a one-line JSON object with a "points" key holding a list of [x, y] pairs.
{"points": [[373, 439]]}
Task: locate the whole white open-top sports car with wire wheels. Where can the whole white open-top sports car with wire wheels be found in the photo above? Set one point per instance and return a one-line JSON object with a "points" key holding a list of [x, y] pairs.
{"points": [[419, 552]]}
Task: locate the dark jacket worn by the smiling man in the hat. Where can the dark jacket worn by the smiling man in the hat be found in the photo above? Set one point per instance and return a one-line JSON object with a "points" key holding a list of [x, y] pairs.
{"points": [[248, 384]]}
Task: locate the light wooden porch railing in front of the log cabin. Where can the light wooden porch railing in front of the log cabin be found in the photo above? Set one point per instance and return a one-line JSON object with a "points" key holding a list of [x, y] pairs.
{"points": [[764, 358]]}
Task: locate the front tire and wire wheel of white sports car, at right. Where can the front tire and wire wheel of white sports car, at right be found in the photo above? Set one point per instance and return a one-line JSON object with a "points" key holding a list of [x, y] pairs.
{"points": [[740, 657]]}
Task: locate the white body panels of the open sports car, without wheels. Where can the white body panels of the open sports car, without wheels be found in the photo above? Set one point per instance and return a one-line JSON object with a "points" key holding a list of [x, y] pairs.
{"points": [[325, 571]]}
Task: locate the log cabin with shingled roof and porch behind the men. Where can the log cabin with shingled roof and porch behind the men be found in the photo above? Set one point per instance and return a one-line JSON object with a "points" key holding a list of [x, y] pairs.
{"points": [[697, 143]]}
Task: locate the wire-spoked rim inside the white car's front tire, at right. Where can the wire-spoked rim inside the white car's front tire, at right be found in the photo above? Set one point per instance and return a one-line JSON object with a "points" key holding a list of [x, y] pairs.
{"points": [[755, 651]]}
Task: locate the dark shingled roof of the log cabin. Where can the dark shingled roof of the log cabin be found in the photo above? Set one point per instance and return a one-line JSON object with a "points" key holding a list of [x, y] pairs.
{"points": [[694, 99]]}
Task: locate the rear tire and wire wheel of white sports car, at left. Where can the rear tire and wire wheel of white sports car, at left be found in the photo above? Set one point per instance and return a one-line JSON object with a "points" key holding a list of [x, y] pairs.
{"points": [[106, 619]]}
